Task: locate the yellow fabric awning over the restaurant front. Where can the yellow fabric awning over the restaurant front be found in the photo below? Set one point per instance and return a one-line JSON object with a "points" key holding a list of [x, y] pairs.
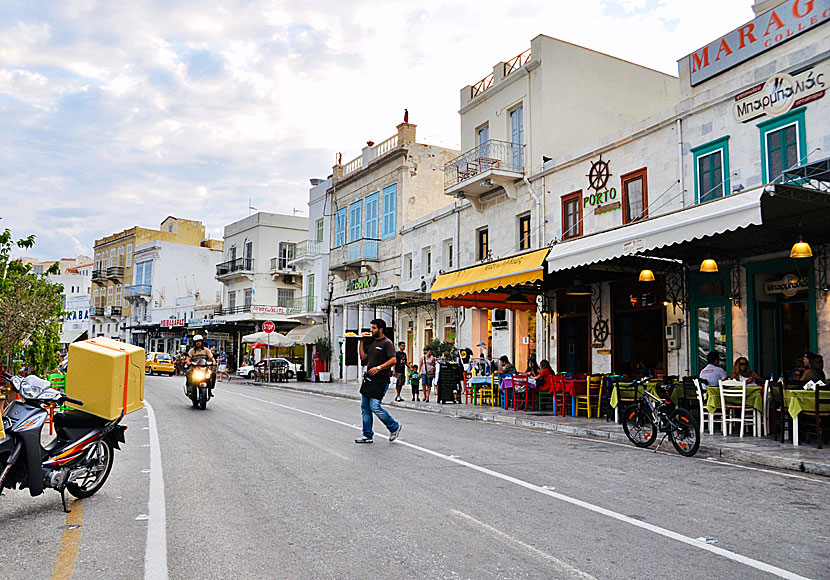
{"points": [[521, 269]]}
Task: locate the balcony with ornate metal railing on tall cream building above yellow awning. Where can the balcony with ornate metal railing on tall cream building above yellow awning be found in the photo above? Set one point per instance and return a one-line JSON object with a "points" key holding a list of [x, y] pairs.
{"points": [[491, 165]]}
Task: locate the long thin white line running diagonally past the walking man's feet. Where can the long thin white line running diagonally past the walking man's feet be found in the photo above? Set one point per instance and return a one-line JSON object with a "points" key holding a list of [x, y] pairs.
{"points": [[728, 554]]}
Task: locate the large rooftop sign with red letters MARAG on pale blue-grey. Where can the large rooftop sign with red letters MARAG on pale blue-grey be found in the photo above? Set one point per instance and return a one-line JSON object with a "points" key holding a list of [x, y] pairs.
{"points": [[768, 30]]}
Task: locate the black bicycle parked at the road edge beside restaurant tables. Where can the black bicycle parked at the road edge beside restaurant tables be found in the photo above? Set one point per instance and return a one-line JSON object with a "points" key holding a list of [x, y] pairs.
{"points": [[643, 420]]}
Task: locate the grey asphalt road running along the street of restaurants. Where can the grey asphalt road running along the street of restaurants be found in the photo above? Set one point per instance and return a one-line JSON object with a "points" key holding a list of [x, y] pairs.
{"points": [[269, 484]]}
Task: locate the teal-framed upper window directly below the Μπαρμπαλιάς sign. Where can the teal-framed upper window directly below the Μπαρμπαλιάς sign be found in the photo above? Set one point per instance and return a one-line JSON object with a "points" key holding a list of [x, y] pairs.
{"points": [[783, 143]]}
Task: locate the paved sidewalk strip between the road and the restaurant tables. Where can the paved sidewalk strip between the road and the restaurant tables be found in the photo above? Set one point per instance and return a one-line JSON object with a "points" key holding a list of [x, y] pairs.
{"points": [[753, 450]]}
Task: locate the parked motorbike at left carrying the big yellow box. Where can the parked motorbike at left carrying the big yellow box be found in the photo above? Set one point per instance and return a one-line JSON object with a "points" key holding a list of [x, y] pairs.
{"points": [[78, 460]]}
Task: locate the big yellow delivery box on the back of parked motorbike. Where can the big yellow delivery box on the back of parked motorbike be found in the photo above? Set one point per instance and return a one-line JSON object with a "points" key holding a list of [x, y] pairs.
{"points": [[107, 375]]}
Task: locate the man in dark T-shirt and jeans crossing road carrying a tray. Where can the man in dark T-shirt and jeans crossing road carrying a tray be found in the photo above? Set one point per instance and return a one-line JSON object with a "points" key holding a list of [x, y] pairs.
{"points": [[378, 354]]}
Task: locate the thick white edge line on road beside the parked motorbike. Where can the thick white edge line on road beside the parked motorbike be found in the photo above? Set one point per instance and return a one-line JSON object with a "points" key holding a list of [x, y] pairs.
{"points": [[155, 554]]}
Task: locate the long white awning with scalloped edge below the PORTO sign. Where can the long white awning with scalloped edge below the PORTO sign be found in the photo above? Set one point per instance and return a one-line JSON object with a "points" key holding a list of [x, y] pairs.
{"points": [[715, 217]]}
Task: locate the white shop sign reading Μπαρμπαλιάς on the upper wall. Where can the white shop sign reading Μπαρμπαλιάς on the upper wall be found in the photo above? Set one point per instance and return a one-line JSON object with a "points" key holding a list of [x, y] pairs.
{"points": [[782, 93]]}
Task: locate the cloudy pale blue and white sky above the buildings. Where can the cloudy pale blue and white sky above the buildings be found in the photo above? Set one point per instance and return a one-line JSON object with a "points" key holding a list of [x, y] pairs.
{"points": [[115, 114]]}
